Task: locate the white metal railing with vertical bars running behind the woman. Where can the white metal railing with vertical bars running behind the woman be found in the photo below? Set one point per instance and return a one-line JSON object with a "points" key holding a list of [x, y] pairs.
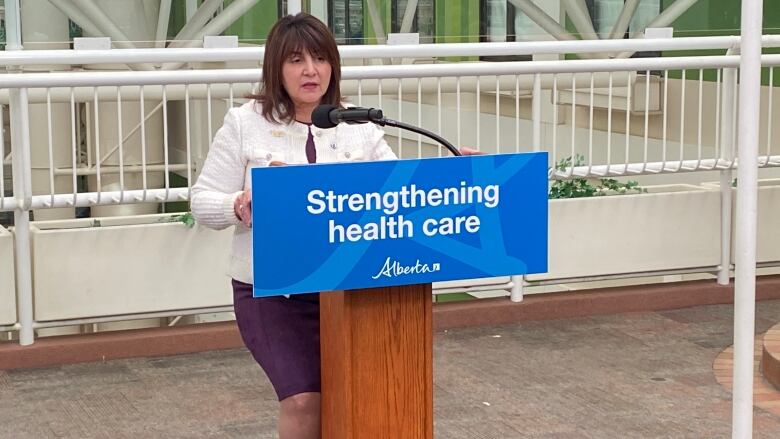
{"points": [[484, 105]]}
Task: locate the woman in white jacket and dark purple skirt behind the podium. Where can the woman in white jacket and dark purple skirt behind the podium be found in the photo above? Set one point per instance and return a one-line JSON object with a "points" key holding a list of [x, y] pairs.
{"points": [[301, 69]]}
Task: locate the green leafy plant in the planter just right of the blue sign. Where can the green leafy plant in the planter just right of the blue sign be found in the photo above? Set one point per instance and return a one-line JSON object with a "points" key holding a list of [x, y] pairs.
{"points": [[579, 187]]}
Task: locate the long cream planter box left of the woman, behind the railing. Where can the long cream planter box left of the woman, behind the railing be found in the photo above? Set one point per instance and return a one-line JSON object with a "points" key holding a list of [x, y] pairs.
{"points": [[127, 265]]}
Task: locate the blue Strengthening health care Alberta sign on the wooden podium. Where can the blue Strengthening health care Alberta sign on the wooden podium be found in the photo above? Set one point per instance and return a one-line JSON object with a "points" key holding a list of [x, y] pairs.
{"points": [[344, 226]]}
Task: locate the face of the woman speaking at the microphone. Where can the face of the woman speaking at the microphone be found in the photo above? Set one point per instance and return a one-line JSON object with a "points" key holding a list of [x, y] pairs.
{"points": [[306, 78]]}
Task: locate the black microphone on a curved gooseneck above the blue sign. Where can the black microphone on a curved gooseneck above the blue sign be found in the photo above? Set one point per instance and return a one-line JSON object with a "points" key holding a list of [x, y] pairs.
{"points": [[328, 116]]}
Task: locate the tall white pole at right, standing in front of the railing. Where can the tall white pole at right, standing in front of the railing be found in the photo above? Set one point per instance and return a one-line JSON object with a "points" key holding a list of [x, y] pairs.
{"points": [[747, 188]]}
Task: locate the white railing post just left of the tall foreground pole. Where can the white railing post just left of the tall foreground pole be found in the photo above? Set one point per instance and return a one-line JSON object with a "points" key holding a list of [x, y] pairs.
{"points": [[726, 153]]}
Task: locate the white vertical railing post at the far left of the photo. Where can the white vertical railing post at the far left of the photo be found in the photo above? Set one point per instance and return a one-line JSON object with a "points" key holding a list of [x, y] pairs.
{"points": [[22, 184]]}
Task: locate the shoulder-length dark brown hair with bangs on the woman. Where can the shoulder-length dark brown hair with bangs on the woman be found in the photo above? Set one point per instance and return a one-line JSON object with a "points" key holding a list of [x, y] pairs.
{"points": [[295, 33]]}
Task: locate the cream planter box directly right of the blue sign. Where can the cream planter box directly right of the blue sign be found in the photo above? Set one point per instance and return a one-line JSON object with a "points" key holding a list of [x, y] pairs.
{"points": [[671, 227]]}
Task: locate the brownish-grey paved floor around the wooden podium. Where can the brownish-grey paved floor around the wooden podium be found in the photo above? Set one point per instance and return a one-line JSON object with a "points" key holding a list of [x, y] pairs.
{"points": [[639, 375]]}
